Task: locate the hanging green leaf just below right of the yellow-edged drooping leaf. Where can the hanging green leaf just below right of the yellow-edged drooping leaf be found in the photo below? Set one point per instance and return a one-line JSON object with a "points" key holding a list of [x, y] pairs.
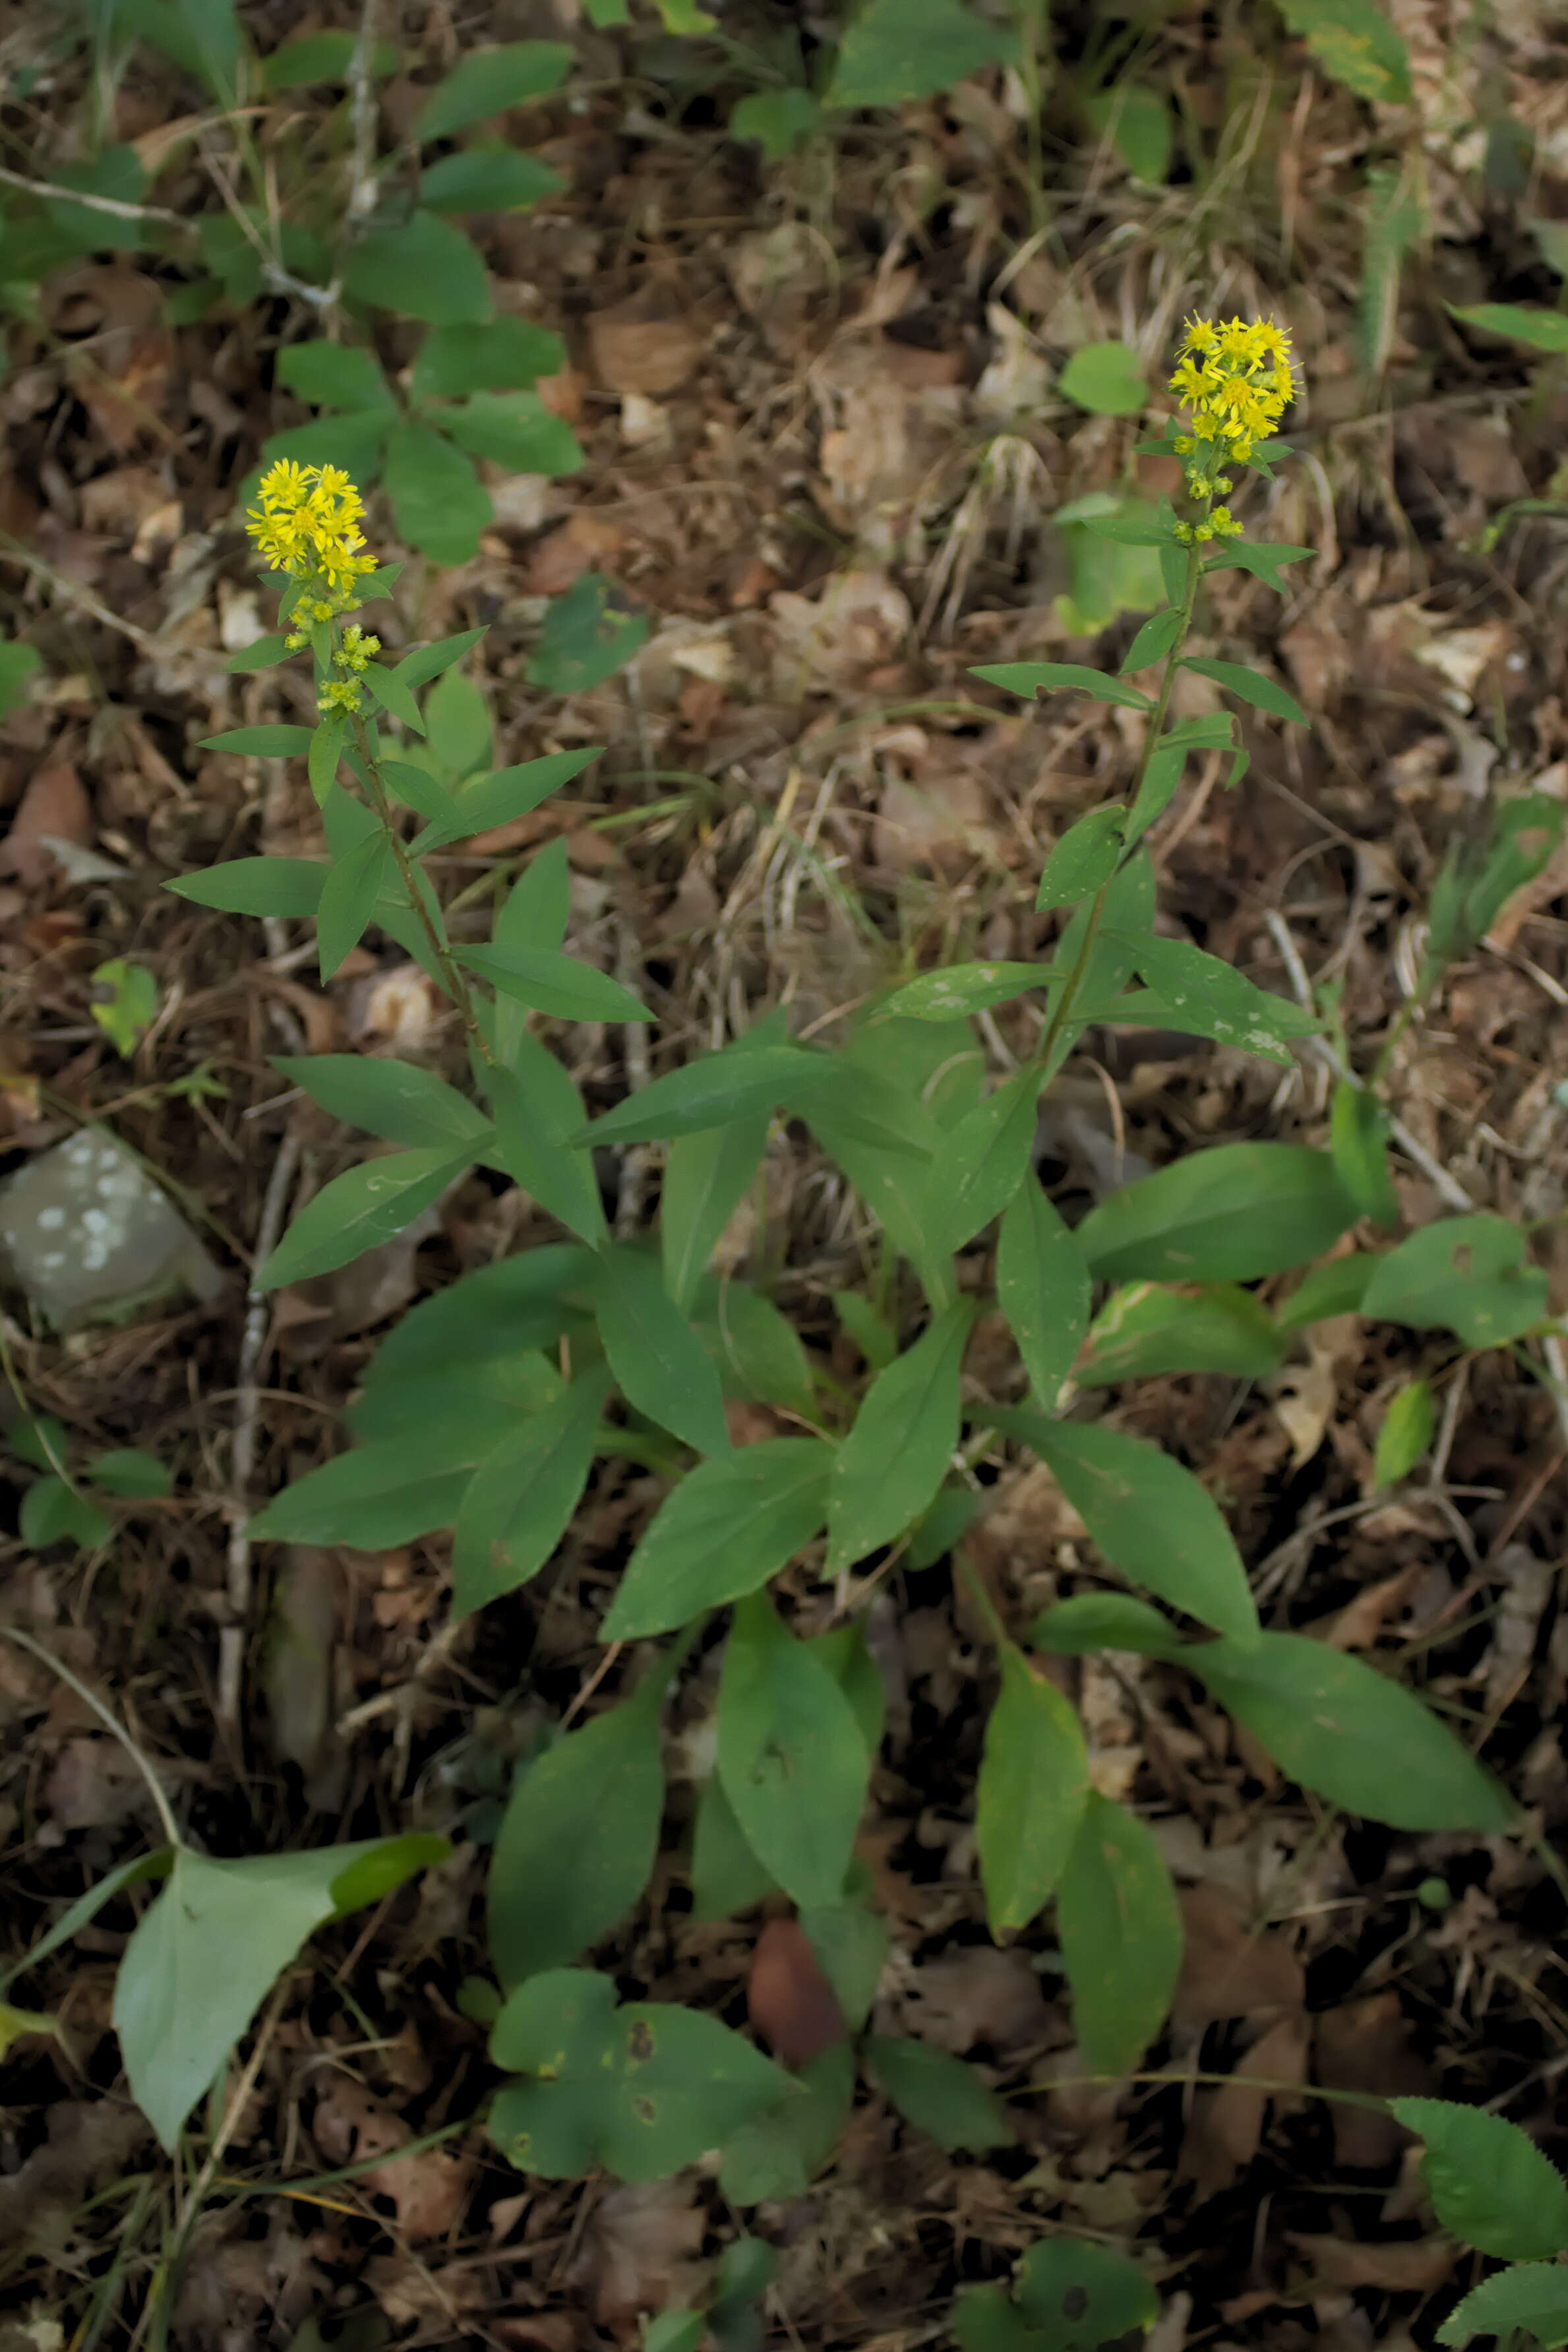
{"points": [[1123, 1937]]}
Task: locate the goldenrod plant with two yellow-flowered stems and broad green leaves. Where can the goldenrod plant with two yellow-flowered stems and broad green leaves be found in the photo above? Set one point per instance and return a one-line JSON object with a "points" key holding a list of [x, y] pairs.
{"points": [[485, 1410]]}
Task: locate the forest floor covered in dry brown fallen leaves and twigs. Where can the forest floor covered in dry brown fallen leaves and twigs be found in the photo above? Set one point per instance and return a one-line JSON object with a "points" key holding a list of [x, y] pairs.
{"points": [[824, 457]]}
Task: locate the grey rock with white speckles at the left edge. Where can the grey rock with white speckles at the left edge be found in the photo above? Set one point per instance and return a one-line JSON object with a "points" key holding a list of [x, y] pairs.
{"points": [[93, 1238]]}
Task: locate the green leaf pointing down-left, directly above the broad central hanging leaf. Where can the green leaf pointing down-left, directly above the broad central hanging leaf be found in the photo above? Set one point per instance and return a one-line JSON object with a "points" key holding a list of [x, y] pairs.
{"points": [[721, 1535]]}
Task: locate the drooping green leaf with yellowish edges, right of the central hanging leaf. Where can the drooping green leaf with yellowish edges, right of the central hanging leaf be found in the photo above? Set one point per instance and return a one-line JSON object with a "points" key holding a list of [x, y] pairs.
{"points": [[1031, 1796]]}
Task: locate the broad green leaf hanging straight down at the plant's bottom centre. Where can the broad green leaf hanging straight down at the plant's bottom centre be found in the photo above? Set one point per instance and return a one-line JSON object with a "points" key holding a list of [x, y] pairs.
{"points": [[791, 1756]]}
